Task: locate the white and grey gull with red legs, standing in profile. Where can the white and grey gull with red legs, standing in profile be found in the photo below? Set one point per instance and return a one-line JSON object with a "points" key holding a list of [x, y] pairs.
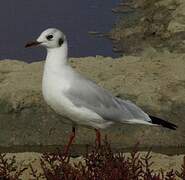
{"points": [[79, 99]]}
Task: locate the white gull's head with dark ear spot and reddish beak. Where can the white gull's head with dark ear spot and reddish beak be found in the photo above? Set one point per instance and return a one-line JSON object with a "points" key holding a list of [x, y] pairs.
{"points": [[50, 38]]}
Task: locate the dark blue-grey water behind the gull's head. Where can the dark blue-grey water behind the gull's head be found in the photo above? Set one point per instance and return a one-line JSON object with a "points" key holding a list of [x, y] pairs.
{"points": [[24, 20]]}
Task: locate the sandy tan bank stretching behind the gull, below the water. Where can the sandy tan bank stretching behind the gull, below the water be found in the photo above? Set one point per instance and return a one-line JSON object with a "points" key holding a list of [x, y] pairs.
{"points": [[155, 82]]}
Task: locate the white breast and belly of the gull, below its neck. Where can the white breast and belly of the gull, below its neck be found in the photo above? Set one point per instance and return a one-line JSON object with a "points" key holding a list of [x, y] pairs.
{"points": [[53, 88]]}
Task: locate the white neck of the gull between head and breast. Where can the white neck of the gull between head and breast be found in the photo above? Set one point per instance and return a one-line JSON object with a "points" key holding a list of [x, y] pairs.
{"points": [[57, 58]]}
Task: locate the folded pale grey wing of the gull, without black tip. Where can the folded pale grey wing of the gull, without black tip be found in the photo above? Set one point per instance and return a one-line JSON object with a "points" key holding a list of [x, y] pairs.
{"points": [[85, 93]]}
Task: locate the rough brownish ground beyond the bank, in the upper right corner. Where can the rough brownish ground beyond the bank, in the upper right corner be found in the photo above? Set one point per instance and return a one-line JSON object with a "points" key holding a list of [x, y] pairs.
{"points": [[158, 25]]}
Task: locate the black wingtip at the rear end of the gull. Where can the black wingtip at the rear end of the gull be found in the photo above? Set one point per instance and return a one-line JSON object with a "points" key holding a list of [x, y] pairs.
{"points": [[163, 123]]}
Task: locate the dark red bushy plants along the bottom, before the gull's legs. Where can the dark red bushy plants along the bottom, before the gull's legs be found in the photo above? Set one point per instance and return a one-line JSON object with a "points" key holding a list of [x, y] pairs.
{"points": [[99, 164]]}
